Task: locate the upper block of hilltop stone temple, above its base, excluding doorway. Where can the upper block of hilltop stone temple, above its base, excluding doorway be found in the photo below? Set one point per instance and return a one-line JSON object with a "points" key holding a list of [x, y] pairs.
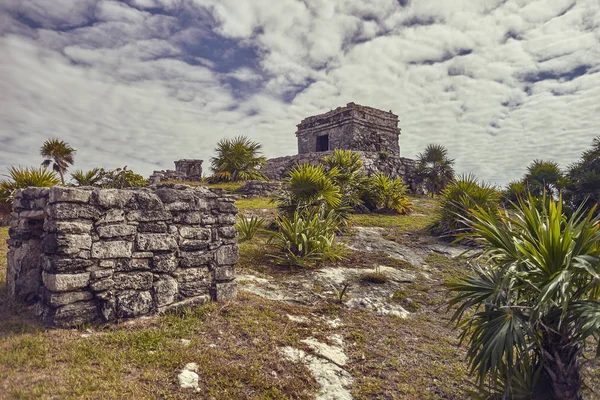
{"points": [[353, 127]]}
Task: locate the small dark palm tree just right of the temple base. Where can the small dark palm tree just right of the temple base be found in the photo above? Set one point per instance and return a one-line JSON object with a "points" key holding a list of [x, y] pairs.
{"points": [[434, 168]]}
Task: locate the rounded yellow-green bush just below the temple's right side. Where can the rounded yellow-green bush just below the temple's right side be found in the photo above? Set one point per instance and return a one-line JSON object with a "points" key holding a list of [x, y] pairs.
{"points": [[381, 193]]}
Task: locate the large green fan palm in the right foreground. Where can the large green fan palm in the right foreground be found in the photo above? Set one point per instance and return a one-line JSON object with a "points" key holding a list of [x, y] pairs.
{"points": [[532, 302]]}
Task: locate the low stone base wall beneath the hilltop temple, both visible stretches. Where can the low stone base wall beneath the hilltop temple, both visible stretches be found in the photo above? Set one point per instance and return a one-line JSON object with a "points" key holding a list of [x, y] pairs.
{"points": [[390, 164]]}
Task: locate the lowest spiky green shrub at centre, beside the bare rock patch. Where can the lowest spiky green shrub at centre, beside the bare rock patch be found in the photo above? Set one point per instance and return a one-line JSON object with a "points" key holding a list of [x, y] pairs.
{"points": [[304, 240]]}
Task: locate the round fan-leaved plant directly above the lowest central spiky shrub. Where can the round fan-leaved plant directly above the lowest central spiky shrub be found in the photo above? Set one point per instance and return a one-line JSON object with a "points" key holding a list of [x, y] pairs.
{"points": [[309, 189]]}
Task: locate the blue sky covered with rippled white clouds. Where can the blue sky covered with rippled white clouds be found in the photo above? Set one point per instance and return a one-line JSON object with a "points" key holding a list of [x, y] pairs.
{"points": [[147, 82]]}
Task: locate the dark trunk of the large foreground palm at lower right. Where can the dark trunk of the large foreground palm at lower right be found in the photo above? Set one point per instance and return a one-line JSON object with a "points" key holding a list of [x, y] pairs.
{"points": [[562, 365]]}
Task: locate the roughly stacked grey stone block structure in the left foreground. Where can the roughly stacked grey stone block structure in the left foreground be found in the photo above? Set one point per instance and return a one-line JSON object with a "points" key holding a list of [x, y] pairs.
{"points": [[86, 255]]}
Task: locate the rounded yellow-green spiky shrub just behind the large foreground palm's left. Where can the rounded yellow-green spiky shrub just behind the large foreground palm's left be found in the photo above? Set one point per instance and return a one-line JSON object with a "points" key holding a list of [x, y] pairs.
{"points": [[457, 201]]}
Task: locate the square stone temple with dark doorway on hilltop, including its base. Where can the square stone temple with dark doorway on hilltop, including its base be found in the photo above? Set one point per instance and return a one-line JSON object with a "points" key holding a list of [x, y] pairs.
{"points": [[372, 133]]}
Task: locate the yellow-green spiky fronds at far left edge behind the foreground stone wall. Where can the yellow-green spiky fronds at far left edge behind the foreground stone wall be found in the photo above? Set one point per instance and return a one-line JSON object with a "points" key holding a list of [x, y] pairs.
{"points": [[20, 178]]}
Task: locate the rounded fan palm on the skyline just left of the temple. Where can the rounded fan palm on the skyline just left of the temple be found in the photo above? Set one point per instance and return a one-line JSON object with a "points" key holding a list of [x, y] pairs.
{"points": [[237, 159]]}
